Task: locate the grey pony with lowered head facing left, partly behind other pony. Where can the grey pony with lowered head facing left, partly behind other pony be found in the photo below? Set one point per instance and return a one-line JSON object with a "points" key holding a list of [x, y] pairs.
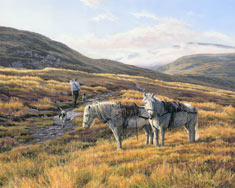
{"points": [[110, 113]]}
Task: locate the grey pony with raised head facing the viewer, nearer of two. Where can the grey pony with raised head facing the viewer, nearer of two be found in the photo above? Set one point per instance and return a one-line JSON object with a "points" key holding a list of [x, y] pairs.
{"points": [[161, 118]]}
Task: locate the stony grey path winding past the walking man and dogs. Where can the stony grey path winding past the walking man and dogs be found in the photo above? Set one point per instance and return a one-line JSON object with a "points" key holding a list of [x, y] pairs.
{"points": [[56, 130]]}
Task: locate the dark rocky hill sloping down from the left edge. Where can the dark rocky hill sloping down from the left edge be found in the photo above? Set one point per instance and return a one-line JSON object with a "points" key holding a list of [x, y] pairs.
{"points": [[24, 49]]}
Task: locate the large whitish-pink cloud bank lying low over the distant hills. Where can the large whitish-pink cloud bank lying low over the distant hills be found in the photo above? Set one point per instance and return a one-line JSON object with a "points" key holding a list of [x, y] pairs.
{"points": [[158, 44]]}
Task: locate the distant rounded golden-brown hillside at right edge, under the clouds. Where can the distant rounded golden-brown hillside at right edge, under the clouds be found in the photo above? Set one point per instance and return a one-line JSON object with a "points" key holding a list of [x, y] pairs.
{"points": [[214, 68]]}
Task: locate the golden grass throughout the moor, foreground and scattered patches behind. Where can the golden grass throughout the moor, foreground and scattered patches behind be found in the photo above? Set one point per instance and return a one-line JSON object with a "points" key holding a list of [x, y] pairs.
{"points": [[66, 163]]}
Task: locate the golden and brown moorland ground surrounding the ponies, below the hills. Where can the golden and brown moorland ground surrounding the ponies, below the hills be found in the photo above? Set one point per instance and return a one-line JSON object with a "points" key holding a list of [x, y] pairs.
{"points": [[29, 101]]}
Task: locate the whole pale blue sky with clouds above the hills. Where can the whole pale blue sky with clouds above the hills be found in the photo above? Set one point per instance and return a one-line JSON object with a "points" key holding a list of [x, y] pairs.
{"points": [[139, 32]]}
